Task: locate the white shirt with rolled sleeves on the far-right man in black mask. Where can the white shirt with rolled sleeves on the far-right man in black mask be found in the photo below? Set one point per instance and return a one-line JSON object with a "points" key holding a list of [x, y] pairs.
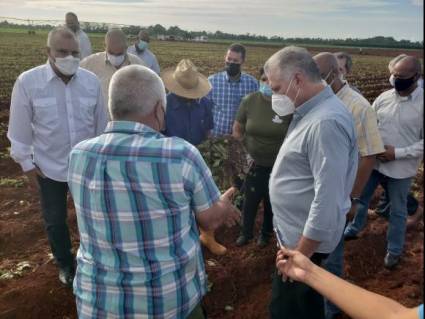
{"points": [[400, 122]]}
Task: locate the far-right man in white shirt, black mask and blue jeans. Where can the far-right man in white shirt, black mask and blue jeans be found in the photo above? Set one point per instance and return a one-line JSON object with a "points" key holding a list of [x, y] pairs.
{"points": [[400, 113]]}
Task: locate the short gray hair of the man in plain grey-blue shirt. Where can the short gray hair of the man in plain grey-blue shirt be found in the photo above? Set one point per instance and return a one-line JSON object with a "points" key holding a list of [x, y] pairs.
{"points": [[293, 59]]}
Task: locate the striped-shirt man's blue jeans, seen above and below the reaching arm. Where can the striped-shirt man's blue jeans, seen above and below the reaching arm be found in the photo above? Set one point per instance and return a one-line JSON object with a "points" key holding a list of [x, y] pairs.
{"points": [[335, 265]]}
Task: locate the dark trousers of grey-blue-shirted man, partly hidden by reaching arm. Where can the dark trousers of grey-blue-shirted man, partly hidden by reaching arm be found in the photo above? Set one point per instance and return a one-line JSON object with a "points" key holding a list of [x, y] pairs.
{"points": [[295, 300]]}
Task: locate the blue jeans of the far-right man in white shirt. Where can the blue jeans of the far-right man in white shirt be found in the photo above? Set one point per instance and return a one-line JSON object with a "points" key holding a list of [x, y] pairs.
{"points": [[397, 190]]}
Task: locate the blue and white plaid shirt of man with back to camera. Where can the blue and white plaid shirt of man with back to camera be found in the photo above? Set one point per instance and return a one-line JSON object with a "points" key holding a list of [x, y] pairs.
{"points": [[136, 193]]}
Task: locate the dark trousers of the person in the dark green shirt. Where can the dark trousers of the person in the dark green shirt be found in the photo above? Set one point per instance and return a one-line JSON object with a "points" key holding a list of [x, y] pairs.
{"points": [[256, 190]]}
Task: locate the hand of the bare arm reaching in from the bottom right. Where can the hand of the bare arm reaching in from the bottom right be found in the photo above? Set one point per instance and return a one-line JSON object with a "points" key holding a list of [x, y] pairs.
{"points": [[293, 264]]}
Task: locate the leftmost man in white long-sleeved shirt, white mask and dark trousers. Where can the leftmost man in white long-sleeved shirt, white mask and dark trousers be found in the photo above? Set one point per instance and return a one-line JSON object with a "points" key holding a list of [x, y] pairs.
{"points": [[53, 107]]}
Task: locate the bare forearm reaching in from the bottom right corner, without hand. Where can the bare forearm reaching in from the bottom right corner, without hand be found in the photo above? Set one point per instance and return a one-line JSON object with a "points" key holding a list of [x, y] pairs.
{"points": [[357, 302]]}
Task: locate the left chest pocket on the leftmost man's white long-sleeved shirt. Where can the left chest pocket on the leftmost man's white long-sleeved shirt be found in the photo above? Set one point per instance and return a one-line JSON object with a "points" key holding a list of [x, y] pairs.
{"points": [[45, 114]]}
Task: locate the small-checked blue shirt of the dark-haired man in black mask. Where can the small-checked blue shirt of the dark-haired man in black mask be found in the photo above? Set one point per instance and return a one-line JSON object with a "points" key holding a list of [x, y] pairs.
{"points": [[226, 96]]}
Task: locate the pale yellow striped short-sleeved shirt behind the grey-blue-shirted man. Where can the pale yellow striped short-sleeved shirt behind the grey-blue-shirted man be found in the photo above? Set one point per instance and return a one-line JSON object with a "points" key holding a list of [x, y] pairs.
{"points": [[369, 139]]}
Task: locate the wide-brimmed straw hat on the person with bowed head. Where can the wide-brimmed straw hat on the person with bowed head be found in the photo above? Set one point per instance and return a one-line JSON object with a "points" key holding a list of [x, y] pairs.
{"points": [[186, 81]]}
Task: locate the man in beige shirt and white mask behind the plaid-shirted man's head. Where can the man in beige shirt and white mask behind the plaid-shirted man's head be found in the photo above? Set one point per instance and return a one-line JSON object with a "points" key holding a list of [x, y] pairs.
{"points": [[105, 64]]}
